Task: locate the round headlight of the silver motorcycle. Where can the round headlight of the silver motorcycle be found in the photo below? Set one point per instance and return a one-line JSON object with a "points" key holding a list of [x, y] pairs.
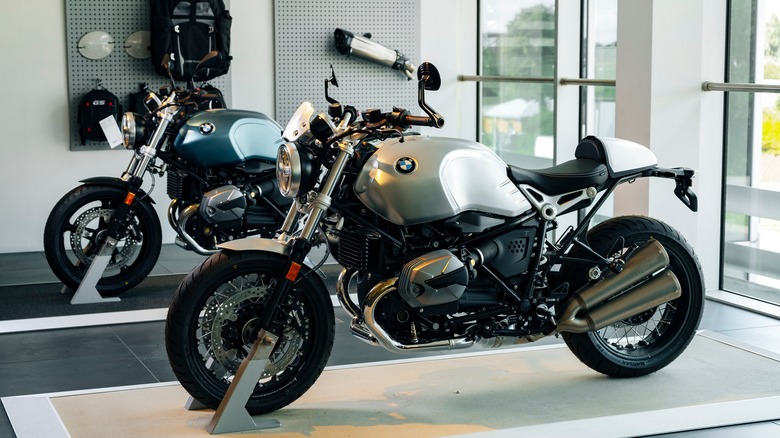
{"points": [[296, 170]]}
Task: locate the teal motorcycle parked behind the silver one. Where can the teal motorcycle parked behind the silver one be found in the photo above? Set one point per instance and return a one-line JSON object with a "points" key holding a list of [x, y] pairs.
{"points": [[221, 178]]}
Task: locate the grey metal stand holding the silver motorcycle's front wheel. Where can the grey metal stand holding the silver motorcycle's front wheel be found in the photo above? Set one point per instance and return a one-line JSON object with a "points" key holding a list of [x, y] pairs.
{"points": [[232, 416]]}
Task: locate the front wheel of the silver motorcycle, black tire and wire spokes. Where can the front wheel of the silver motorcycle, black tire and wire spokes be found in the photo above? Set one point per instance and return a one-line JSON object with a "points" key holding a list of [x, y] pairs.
{"points": [[209, 329]]}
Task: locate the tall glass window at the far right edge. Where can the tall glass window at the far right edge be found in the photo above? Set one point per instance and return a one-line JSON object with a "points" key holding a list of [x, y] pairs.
{"points": [[751, 221]]}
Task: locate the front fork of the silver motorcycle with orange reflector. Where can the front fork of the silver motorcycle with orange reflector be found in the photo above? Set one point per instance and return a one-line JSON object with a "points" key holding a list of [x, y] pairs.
{"points": [[301, 245]]}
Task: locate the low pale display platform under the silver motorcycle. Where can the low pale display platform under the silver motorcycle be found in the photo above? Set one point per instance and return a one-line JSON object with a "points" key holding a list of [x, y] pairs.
{"points": [[528, 391]]}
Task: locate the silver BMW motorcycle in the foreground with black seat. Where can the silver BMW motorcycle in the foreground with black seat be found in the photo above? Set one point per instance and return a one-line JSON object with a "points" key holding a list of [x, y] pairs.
{"points": [[447, 247]]}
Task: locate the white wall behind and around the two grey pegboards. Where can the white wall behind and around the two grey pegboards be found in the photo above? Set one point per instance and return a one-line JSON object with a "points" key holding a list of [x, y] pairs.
{"points": [[37, 166]]}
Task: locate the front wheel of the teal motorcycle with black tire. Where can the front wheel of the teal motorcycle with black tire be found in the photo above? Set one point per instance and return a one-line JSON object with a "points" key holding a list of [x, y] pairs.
{"points": [[76, 228]]}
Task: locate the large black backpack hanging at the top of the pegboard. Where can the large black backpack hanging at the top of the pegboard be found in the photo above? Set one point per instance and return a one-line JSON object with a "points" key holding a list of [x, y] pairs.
{"points": [[187, 30]]}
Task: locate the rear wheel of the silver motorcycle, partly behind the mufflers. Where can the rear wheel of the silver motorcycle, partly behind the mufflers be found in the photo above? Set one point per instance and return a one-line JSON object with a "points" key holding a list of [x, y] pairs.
{"points": [[647, 342]]}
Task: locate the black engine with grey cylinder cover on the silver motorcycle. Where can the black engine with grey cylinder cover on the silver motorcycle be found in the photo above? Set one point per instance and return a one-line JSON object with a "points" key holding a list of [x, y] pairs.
{"points": [[433, 280]]}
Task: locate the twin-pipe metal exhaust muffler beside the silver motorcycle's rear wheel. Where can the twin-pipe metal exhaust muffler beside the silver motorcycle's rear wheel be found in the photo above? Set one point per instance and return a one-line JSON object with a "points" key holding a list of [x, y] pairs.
{"points": [[589, 308]]}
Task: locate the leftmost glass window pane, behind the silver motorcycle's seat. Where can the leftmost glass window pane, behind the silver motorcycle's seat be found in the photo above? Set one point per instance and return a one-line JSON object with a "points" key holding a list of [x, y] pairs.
{"points": [[518, 41]]}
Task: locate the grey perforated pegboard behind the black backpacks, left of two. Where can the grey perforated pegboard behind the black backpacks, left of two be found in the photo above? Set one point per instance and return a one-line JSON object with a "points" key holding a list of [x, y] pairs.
{"points": [[118, 72]]}
